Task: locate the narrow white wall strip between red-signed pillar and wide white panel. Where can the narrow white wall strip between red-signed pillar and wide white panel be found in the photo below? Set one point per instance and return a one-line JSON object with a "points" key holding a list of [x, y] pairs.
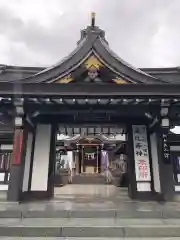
{"points": [[27, 162]]}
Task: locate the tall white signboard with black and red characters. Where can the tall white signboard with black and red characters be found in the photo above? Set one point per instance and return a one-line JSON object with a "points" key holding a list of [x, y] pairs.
{"points": [[141, 153]]}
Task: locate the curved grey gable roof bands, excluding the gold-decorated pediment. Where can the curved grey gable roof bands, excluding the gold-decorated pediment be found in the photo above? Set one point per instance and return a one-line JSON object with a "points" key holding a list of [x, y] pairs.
{"points": [[92, 39]]}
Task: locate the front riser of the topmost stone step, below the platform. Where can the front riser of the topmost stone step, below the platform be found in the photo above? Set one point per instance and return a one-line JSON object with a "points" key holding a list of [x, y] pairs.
{"points": [[87, 214]]}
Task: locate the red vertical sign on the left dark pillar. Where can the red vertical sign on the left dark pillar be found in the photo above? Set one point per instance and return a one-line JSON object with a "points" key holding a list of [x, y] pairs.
{"points": [[17, 147]]}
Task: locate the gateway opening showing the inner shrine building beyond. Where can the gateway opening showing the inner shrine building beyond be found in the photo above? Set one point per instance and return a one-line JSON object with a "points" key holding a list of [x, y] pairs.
{"points": [[81, 156]]}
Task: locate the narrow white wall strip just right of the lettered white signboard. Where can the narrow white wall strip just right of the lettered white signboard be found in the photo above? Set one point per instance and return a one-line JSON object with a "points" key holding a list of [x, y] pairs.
{"points": [[155, 164]]}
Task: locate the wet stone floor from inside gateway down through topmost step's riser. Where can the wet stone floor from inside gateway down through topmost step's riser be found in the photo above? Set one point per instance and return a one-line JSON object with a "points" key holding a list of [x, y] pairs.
{"points": [[90, 202]]}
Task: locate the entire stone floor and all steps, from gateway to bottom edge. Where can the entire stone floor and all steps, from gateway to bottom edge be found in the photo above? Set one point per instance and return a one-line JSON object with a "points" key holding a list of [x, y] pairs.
{"points": [[90, 211]]}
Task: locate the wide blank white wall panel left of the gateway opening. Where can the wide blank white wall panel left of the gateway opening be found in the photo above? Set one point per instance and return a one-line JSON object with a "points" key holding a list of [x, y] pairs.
{"points": [[41, 158]]}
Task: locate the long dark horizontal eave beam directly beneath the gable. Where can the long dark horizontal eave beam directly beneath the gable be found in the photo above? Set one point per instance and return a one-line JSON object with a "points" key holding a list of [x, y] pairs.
{"points": [[91, 90]]}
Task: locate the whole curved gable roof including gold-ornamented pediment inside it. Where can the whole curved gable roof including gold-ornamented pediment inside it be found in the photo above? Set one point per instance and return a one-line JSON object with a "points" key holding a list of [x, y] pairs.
{"points": [[91, 60]]}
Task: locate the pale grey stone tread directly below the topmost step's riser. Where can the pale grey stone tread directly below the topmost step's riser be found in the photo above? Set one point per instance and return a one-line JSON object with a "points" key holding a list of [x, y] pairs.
{"points": [[95, 222]]}
